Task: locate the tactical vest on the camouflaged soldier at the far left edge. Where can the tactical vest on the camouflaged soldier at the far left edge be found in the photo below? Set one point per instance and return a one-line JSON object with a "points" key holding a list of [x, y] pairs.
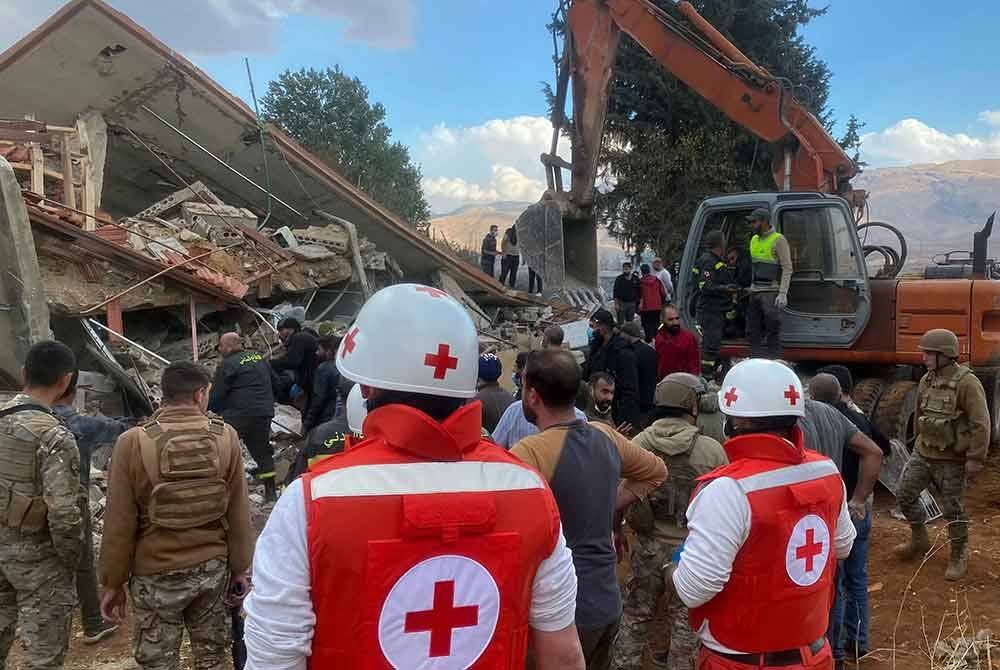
{"points": [[22, 506]]}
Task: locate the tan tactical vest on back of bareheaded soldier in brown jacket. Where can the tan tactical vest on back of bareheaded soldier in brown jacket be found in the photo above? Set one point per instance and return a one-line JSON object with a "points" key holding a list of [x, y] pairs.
{"points": [[185, 466]]}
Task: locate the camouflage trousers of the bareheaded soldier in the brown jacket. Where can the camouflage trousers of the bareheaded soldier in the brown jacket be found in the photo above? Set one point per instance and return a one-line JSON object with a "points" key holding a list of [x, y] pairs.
{"points": [[167, 603]]}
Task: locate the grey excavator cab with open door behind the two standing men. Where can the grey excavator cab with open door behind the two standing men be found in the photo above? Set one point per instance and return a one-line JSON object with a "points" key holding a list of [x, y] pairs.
{"points": [[829, 298]]}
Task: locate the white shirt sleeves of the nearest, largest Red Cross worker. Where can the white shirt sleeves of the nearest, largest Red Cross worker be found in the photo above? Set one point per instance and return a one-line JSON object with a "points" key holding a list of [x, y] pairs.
{"points": [[279, 613]]}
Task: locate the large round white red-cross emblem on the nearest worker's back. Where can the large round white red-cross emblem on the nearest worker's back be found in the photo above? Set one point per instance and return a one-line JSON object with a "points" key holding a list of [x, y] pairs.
{"points": [[441, 613]]}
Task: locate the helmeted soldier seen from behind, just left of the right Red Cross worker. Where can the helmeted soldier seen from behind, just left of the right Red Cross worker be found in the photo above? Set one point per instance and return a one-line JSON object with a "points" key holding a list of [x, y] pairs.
{"points": [[660, 523]]}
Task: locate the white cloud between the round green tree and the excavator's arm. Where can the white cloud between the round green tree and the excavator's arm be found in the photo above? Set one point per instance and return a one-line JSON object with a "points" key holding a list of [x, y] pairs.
{"points": [[496, 160]]}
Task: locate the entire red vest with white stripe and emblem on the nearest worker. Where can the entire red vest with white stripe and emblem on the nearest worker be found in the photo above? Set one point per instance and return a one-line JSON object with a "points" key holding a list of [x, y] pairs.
{"points": [[424, 541]]}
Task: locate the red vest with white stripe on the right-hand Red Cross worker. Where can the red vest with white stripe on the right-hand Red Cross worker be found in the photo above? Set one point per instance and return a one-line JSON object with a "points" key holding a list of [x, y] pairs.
{"points": [[780, 591]]}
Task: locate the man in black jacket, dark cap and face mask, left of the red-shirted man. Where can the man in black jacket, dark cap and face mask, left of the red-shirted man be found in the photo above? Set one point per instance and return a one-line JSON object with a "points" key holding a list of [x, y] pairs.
{"points": [[612, 354]]}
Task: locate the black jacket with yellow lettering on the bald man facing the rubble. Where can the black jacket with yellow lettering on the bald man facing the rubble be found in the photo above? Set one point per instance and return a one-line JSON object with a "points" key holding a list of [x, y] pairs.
{"points": [[242, 387]]}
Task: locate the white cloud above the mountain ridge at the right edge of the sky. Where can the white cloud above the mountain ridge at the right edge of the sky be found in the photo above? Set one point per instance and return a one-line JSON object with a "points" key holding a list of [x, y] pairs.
{"points": [[913, 141]]}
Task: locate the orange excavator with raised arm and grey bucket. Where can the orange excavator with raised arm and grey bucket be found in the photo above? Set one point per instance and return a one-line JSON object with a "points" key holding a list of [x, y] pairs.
{"points": [[836, 313]]}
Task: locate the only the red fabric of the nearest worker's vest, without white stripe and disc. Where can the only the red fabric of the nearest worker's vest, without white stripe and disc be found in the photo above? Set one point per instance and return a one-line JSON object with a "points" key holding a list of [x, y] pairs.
{"points": [[360, 547]]}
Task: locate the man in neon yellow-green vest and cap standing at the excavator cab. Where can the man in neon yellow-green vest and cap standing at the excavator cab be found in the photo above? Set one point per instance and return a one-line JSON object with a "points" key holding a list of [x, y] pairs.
{"points": [[772, 272]]}
